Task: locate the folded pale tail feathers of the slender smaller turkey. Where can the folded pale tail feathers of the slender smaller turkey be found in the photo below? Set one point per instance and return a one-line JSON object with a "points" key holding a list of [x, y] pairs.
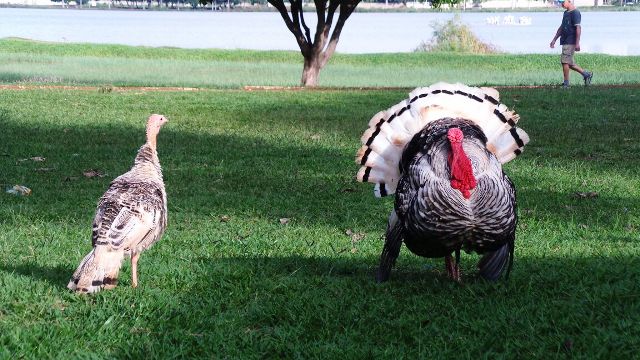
{"points": [[97, 270]]}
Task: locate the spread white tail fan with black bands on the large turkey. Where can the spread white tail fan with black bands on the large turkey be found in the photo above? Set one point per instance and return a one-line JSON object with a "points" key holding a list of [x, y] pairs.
{"points": [[390, 130]]}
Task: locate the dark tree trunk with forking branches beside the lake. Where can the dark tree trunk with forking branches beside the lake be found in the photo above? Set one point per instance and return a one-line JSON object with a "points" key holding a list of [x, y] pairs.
{"points": [[317, 50]]}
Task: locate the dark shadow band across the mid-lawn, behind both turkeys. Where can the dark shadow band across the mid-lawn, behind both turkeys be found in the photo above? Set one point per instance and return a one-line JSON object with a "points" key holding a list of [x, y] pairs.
{"points": [[218, 175]]}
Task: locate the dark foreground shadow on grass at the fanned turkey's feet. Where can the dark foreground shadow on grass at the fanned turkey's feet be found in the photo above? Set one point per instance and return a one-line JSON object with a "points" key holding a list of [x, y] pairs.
{"points": [[284, 305]]}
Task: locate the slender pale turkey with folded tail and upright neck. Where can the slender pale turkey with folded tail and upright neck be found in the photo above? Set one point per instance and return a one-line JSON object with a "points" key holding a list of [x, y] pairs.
{"points": [[131, 216]]}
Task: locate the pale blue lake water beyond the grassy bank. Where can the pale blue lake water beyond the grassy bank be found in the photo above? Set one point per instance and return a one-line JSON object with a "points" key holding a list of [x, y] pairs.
{"points": [[615, 33]]}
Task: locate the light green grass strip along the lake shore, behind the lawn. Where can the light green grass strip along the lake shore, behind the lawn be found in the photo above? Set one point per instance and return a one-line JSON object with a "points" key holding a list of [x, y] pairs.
{"points": [[28, 62]]}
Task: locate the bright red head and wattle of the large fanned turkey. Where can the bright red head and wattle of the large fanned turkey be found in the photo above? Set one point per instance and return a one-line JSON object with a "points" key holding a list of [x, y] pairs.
{"points": [[461, 171]]}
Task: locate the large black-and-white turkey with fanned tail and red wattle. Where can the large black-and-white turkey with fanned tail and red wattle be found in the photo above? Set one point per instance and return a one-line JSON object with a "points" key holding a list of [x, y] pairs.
{"points": [[440, 151]]}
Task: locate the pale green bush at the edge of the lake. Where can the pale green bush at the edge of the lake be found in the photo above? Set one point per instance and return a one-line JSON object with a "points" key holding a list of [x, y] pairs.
{"points": [[455, 36]]}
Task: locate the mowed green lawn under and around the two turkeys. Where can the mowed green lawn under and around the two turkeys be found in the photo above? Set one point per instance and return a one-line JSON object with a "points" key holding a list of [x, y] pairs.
{"points": [[229, 280]]}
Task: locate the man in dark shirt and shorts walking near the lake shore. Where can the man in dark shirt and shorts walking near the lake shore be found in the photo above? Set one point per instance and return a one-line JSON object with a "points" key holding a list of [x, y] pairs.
{"points": [[569, 34]]}
